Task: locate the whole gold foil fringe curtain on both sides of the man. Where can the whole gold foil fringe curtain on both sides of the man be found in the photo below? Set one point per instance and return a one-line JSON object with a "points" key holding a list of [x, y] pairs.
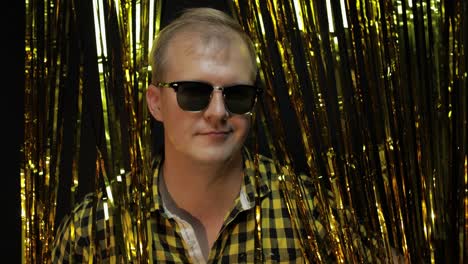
{"points": [[376, 89]]}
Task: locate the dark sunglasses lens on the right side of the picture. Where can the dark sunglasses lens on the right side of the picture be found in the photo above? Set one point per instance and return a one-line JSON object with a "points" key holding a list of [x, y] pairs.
{"points": [[240, 99]]}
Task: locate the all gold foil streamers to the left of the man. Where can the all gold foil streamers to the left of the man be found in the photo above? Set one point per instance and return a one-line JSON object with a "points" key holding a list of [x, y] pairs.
{"points": [[123, 168]]}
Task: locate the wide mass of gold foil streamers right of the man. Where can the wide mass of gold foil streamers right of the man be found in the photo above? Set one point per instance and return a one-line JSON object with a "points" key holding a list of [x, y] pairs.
{"points": [[374, 86]]}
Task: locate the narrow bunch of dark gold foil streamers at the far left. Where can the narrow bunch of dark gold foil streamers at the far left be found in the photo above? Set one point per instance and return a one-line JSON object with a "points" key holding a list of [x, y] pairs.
{"points": [[46, 57]]}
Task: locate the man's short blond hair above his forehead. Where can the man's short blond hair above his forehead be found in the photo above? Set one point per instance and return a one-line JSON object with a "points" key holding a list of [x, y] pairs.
{"points": [[206, 22]]}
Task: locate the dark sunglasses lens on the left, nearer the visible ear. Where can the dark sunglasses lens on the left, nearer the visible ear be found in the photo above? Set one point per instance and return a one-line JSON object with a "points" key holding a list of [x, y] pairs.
{"points": [[193, 96]]}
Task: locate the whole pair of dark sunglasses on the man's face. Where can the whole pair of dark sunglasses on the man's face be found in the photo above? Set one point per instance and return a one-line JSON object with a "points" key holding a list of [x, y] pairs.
{"points": [[196, 96]]}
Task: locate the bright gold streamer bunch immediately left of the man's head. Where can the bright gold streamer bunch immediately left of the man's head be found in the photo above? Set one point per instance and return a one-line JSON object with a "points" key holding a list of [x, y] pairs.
{"points": [[133, 20]]}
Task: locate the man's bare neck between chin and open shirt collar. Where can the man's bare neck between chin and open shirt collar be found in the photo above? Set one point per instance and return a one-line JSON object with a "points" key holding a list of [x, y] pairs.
{"points": [[203, 190]]}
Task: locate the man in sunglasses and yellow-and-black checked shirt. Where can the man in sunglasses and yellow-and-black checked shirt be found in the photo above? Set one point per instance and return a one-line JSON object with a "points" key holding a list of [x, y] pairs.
{"points": [[204, 187]]}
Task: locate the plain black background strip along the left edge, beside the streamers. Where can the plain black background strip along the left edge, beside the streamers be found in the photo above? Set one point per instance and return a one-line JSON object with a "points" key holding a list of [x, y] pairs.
{"points": [[12, 89]]}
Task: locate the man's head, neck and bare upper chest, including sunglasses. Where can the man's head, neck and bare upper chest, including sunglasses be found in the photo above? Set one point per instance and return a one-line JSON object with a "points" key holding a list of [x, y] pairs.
{"points": [[204, 68]]}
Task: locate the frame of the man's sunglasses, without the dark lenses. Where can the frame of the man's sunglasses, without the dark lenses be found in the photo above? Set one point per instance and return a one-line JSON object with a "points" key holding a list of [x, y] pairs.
{"points": [[175, 86]]}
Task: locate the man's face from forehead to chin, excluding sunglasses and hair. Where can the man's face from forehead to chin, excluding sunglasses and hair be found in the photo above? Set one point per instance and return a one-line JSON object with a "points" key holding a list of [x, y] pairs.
{"points": [[212, 135]]}
